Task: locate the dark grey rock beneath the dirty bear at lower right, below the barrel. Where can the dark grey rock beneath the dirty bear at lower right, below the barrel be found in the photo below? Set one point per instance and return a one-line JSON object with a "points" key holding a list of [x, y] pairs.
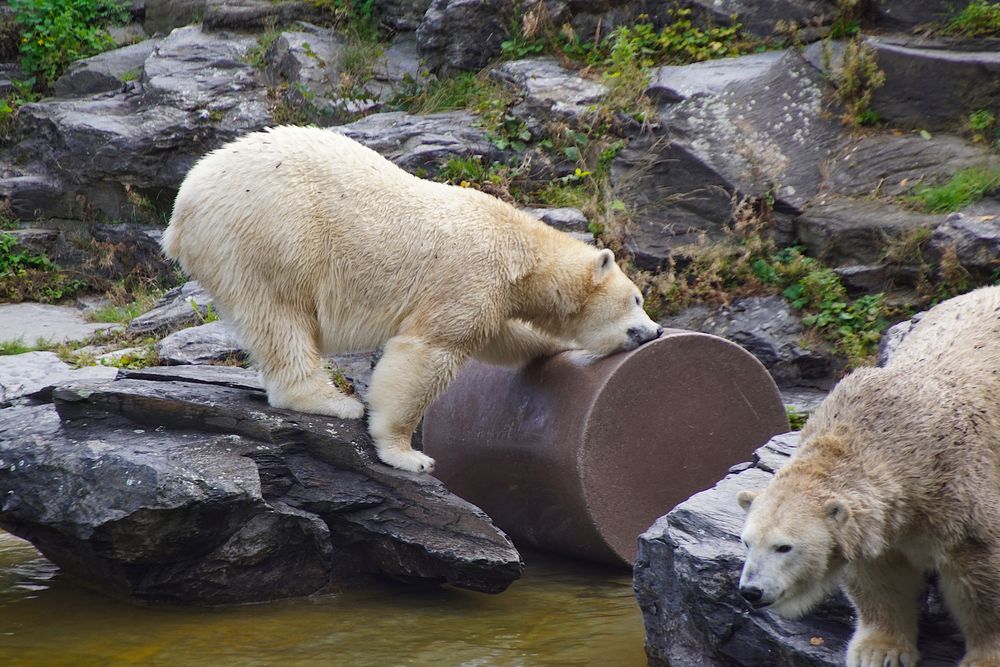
{"points": [[686, 579]]}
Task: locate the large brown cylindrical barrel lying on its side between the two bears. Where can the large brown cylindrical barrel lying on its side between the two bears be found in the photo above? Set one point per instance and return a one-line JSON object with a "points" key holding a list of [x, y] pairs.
{"points": [[579, 455]]}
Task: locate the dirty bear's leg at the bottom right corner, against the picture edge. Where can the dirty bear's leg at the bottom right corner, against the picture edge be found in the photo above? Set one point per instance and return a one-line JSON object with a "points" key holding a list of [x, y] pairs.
{"points": [[970, 582]]}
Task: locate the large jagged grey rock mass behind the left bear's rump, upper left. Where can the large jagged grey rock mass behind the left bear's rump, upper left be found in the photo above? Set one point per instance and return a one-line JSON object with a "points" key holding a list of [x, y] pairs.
{"points": [[196, 92]]}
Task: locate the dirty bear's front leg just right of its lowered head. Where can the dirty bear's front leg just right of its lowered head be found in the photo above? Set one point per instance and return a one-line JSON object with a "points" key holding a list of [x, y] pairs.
{"points": [[886, 592]]}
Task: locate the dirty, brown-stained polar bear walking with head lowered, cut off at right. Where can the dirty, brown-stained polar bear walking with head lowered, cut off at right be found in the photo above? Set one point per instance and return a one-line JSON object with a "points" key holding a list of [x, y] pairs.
{"points": [[898, 475]]}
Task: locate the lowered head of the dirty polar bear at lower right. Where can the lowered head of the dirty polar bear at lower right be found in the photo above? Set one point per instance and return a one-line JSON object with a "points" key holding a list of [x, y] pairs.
{"points": [[794, 541]]}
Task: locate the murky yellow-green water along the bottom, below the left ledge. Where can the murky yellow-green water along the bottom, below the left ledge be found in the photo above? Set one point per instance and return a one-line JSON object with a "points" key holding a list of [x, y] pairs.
{"points": [[560, 614]]}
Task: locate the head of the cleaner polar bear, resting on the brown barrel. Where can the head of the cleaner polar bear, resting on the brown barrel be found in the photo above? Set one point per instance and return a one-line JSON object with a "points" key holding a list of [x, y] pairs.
{"points": [[611, 317]]}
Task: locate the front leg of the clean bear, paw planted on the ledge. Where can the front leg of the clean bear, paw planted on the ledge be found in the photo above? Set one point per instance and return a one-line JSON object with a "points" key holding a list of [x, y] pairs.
{"points": [[411, 374]]}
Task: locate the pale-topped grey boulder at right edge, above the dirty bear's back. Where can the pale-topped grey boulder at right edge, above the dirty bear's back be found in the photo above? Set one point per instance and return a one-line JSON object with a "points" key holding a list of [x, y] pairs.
{"points": [[974, 234]]}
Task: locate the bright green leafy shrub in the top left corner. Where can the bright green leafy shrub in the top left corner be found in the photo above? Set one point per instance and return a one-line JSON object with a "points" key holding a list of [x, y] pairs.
{"points": [[54, 33]]}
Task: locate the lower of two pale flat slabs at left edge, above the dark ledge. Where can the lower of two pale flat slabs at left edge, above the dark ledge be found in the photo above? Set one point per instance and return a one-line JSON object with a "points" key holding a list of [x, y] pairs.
{"points": [[35, 373]]}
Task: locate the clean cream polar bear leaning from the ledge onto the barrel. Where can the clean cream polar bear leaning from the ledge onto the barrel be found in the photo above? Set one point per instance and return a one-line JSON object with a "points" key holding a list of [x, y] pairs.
{"points": [[313, 244]]}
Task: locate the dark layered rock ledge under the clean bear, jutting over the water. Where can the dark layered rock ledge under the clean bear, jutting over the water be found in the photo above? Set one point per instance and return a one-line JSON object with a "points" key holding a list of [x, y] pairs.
{"points": [[183, 486]]}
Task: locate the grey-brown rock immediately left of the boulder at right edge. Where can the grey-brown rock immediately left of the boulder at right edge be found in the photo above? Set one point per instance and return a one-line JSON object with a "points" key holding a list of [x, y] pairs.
{"points": [[850, 231]]}
